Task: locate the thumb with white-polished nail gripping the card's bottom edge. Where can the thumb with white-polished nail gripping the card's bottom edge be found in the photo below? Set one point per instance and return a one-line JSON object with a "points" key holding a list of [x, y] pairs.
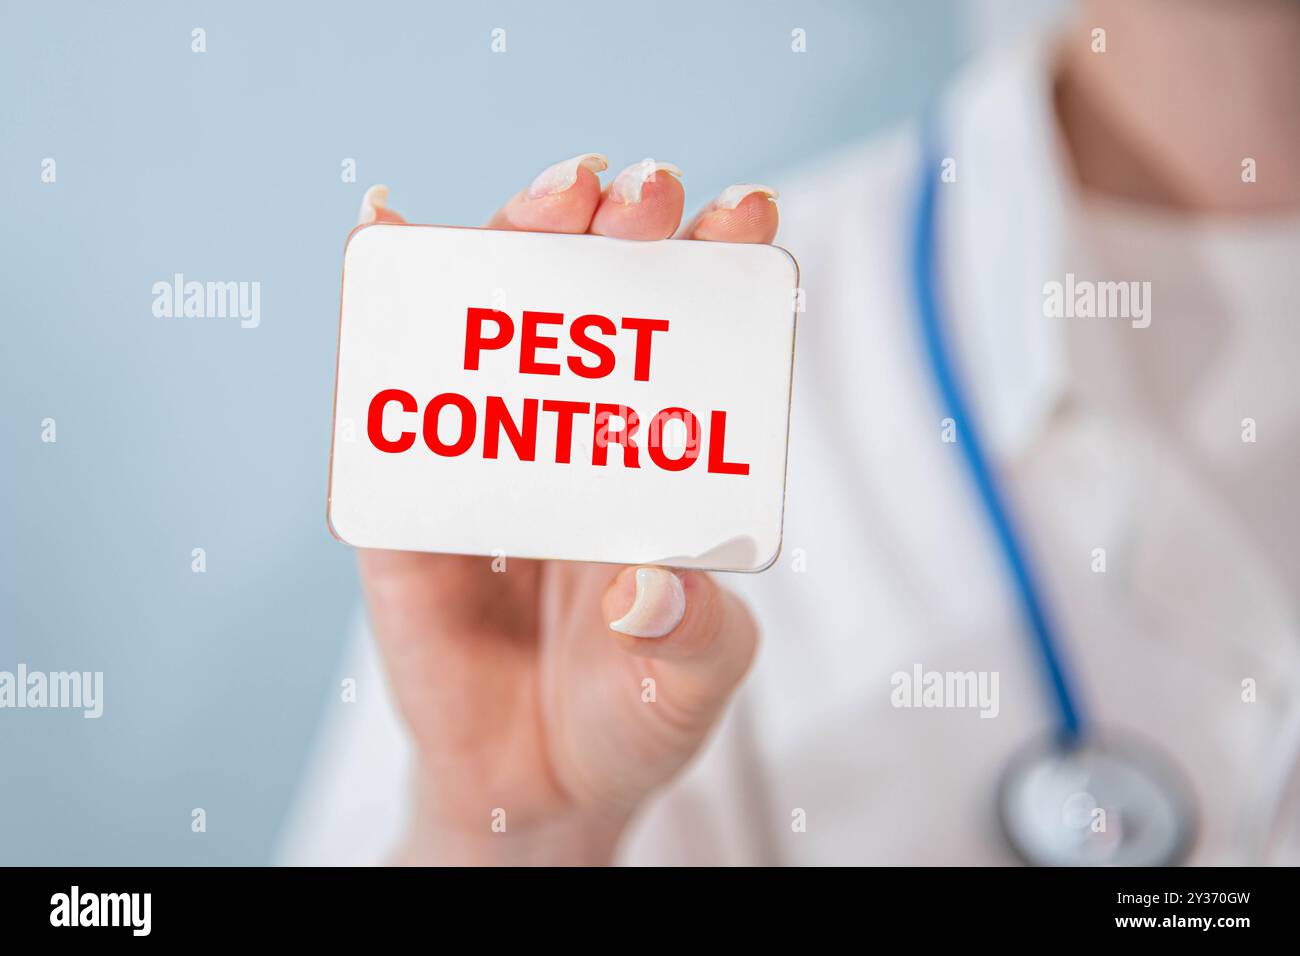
{"points": [[704, 634]]}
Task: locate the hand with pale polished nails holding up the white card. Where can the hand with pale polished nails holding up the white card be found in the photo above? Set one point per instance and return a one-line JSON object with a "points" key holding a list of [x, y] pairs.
{"points": [[526, 691]]}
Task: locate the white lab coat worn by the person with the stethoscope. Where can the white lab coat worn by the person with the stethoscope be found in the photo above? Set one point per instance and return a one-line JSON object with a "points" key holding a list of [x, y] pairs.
{"points": [[889, 561]]}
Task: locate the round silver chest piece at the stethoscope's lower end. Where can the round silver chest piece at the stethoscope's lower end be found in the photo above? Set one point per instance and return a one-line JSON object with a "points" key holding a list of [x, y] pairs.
{"points": [[1102, 803]]}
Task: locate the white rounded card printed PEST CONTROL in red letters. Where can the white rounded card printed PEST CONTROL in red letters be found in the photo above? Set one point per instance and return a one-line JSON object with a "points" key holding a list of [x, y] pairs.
{"points": [[570, 397]]}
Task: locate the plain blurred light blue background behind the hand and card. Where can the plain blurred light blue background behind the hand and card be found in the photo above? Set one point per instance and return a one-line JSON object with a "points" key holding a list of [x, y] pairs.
{"points": [[184, 434]]}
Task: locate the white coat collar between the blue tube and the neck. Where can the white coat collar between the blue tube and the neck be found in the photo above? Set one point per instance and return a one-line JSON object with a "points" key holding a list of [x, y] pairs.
{"points": [[1003, 231]]}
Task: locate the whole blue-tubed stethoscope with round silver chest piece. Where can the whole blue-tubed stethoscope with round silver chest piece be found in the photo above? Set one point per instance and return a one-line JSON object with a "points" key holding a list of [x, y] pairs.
{"points": [[1081, 798]]}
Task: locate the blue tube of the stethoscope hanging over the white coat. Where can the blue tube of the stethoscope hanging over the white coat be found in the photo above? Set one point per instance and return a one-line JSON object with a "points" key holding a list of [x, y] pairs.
{"points": [[925, 282]]}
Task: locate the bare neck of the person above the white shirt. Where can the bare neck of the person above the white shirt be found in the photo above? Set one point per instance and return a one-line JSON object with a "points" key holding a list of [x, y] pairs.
{"points": [[1186, 93]]}
